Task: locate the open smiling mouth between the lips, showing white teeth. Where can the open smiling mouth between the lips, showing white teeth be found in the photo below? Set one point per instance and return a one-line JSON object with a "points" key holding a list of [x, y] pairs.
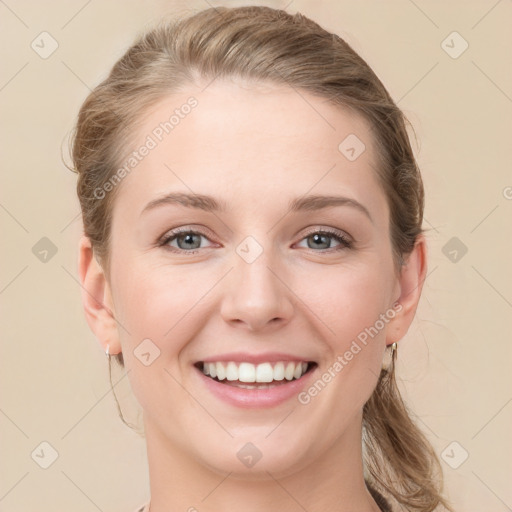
{"points": [[246, 375]]}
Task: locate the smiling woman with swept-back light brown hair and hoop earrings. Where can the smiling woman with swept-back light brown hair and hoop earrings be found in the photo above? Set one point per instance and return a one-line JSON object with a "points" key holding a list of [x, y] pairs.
{"points": [[252, 254]]}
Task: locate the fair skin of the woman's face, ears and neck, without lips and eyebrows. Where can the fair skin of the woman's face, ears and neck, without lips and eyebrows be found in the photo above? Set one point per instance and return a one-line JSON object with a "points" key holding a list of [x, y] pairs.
{"points": [[260, 147]]}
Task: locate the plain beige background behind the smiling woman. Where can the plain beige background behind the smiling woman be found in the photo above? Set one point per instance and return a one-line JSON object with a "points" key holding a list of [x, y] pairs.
{"points": [[455, 361]]}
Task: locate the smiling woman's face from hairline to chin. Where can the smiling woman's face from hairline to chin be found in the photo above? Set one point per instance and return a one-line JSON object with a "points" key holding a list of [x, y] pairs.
{"points": [[251, 278]]}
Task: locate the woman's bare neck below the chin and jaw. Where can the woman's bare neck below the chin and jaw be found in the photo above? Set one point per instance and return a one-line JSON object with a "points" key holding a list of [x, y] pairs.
{"points": [[333, 482]]}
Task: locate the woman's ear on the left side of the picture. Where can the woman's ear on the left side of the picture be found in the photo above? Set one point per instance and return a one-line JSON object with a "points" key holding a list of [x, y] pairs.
{"points": [[96, 298]]}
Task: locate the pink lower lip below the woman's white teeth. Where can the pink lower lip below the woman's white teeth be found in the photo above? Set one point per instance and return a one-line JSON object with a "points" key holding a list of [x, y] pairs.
{"points": [[253, 398]]}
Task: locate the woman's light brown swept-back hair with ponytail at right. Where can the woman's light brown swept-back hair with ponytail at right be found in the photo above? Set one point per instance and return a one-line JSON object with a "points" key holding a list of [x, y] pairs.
{"points": [[262, 44]]}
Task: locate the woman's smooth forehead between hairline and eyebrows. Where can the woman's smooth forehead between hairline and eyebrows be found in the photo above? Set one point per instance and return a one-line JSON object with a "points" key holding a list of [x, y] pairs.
{"points": [[246, 141]]}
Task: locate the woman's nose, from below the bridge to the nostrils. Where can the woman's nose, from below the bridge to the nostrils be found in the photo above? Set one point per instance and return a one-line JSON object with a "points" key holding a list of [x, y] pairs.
{"points": [[256, 295]]}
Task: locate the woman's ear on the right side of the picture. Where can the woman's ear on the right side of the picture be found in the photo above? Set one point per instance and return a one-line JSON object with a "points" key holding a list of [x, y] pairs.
{"points": [[410, 283]]}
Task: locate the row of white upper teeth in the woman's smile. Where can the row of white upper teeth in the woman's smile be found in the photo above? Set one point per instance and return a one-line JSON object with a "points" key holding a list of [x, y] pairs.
{"points": [[248, 372]]}
